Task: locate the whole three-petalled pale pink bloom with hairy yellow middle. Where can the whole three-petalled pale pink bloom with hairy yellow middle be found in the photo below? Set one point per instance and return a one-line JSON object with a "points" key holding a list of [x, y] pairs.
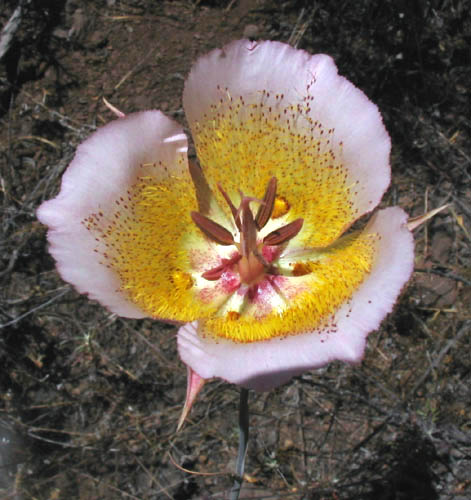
{"points": [[252, 252]]}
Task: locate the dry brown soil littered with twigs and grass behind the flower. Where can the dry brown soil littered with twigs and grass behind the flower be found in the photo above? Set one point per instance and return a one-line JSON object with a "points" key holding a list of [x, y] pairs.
{"points": [[89, 401]]}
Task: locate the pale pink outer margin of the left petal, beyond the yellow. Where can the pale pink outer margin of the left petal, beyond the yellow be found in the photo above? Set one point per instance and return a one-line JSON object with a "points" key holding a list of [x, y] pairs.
{"points": [[104, 167]]}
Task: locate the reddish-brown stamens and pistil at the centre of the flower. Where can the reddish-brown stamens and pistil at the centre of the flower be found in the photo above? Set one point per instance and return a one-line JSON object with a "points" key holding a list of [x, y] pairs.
{"points": [[254, 257]]}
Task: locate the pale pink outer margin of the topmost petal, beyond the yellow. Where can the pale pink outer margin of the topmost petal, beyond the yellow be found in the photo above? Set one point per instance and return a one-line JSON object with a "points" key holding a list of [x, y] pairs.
{"points": [[247, 68]]}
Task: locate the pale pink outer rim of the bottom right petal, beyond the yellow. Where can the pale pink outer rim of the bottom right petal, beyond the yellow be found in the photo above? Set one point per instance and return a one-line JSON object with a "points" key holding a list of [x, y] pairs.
{"points": [[265, 365]]}
